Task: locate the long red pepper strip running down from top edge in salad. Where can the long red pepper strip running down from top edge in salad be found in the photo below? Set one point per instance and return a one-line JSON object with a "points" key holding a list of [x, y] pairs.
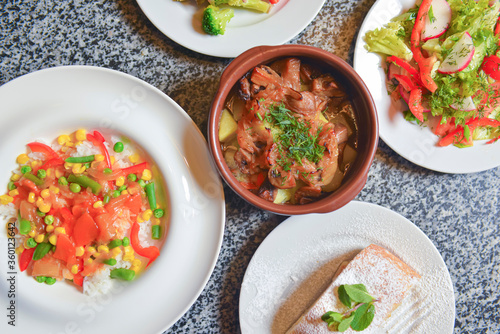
{"points": [[415, 38]]}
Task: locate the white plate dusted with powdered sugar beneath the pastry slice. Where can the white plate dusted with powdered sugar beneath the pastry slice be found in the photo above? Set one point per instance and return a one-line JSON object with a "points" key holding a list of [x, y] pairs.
{"points": [[297, 260]]}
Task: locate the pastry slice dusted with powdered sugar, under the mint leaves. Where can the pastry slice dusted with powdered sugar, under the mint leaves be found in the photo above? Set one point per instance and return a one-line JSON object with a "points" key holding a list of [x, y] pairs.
{"points": [[386, 278]]}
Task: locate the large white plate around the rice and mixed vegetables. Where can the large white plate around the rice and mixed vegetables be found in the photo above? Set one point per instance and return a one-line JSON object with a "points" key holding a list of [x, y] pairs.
{"points": [[47, 103]]}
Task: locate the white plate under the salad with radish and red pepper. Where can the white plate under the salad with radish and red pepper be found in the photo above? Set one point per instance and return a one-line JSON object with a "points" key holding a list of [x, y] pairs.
{"points": [[415, 143]]}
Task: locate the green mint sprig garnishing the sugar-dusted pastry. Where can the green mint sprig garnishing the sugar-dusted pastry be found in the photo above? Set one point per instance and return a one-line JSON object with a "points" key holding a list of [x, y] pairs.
{"points": [[361, 309]]}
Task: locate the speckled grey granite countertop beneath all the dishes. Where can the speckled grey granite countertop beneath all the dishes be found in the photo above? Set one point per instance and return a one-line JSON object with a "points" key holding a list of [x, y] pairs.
{"points": [[459, 213]]}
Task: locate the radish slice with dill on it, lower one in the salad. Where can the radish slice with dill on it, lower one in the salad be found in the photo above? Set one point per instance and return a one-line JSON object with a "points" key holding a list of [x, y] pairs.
{"points": [[459, 57]]}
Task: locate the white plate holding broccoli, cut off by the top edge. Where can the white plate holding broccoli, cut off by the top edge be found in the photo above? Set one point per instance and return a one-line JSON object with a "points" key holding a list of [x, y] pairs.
{"points": [[181, 22]]}
